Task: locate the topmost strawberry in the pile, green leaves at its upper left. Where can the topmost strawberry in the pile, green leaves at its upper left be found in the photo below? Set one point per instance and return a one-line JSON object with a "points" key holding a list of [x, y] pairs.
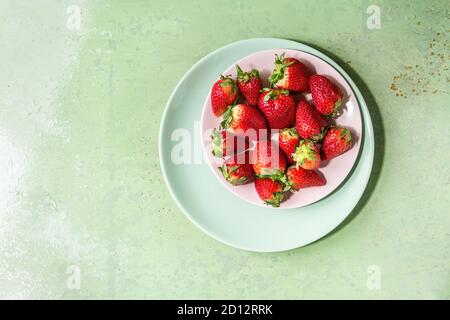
{"points": [[289, 74]]}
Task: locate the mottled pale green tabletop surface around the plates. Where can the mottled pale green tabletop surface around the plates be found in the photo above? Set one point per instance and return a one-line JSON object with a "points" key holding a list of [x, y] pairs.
{"points": [[80, 180]]}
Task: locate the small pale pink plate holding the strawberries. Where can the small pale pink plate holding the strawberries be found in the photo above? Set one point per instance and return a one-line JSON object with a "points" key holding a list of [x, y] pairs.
{"points": [[334, 170]]}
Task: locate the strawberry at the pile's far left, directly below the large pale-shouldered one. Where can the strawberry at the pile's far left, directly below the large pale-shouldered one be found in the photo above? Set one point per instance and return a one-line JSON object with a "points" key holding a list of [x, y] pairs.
{"points": [[225, 143]]}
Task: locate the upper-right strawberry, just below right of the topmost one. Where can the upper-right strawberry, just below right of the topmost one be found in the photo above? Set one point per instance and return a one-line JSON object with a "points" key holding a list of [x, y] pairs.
{"points": [[326, 96]]}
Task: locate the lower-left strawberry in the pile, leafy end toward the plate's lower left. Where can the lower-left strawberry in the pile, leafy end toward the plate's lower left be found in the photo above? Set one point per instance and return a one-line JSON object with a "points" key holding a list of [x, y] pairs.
{"points": [[237, 170]]}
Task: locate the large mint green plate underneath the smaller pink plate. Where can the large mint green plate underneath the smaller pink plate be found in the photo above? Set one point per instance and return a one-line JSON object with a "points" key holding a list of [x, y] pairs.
{"points": [[218, 212]]}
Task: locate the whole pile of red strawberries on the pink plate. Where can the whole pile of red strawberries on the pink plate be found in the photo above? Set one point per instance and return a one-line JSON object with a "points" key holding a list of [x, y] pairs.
{"points": [[251, 114]]}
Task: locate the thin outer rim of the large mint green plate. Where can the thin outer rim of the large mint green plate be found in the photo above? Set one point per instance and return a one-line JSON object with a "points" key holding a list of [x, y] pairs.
{"points": [[366, 121]]}
